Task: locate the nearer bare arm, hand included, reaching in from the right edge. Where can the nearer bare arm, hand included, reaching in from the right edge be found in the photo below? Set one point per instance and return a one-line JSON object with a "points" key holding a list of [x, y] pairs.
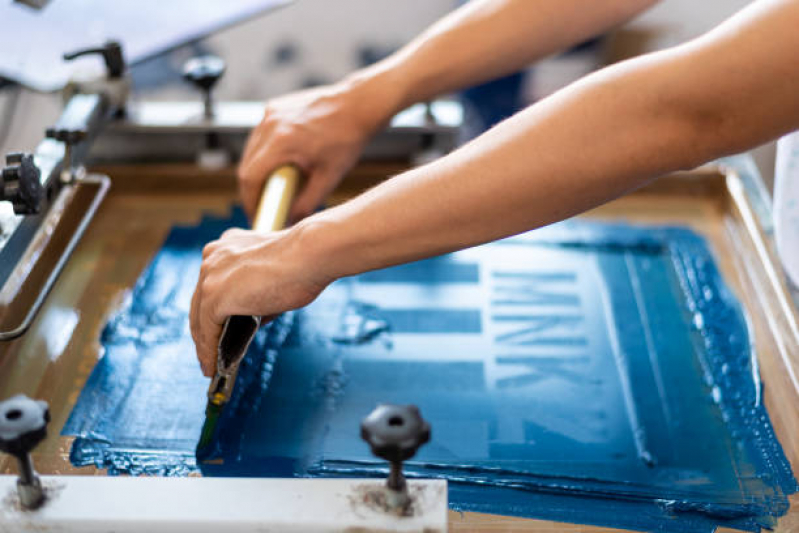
{"points": [[613, 131]]}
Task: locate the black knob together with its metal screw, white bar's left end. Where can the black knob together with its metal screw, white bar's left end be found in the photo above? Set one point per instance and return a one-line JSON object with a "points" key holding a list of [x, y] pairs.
{"points": [[23, 425]]}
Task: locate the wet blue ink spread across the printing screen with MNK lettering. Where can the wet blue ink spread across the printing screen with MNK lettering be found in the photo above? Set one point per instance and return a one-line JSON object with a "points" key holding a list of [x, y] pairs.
{"points": [[589, 373]]}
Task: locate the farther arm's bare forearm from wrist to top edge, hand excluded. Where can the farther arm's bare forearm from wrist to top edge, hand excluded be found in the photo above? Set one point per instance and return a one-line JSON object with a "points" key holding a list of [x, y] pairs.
{"points": [[486, 39]]}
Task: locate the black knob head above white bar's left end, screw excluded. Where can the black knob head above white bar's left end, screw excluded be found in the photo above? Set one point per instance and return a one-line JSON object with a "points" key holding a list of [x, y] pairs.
{"points": [[23, 424]]}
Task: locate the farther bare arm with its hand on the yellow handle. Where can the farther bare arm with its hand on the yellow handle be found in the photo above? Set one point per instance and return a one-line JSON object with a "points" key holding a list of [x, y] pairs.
{"points": [[323, 130]]}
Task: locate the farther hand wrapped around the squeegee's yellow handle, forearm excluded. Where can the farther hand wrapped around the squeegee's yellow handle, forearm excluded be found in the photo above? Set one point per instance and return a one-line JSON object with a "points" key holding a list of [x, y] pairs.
{"points": [[322, 131]]}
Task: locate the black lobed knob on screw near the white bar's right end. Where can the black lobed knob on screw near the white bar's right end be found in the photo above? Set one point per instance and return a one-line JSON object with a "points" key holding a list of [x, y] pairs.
{"points": [[395, 433]]}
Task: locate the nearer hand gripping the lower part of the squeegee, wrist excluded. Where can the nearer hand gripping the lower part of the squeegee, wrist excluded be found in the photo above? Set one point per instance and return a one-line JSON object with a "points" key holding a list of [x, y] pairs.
{"points": [[249, 273]]}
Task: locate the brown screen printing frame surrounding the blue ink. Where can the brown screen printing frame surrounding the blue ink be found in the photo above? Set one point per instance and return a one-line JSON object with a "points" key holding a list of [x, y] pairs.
{"points": [[55, 358]]}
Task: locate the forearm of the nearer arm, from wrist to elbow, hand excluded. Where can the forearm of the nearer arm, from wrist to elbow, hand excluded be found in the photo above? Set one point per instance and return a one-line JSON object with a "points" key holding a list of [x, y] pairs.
{"points": [[584, 146]]}
